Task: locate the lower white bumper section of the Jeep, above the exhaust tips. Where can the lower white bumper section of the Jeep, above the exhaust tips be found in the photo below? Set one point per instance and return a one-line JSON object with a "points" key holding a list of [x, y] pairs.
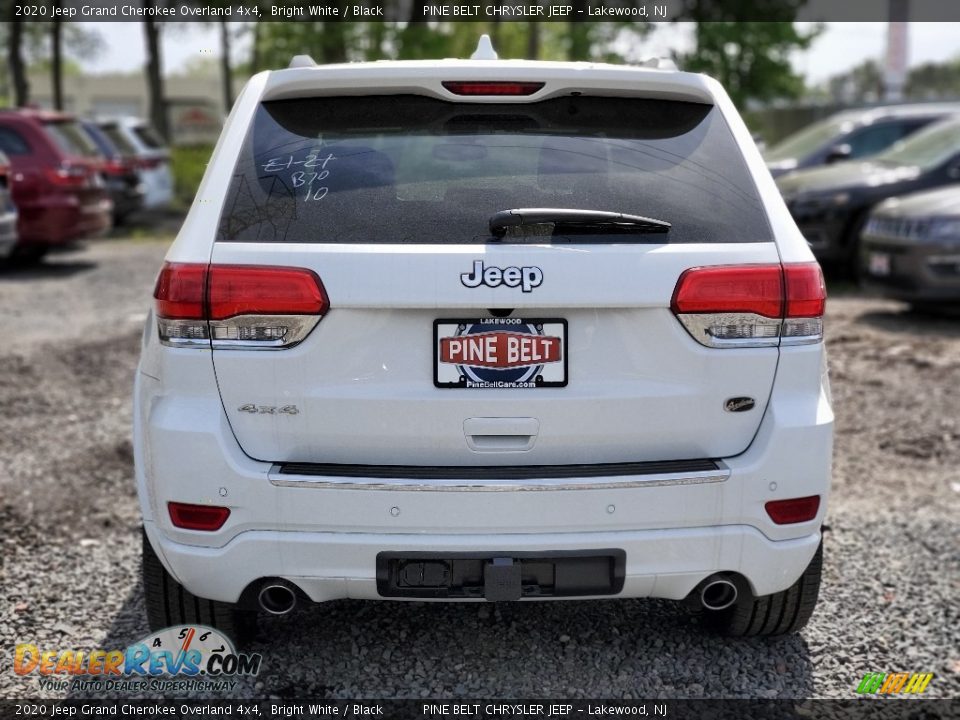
{"points": [[330, 566]]}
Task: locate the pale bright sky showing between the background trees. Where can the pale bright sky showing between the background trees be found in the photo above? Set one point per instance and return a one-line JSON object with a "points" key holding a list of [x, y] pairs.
{"points": [[843, 45]]}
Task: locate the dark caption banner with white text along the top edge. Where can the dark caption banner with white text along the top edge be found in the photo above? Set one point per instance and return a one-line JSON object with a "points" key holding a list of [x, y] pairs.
{"points": [[402, 11]]}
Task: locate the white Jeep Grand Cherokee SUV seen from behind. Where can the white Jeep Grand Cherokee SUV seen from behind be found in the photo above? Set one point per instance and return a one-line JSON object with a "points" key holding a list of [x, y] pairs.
{"points": [[484, 330]]}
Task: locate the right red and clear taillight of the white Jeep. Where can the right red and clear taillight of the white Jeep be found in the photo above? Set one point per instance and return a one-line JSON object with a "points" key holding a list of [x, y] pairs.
{"points": [[752, 305]]}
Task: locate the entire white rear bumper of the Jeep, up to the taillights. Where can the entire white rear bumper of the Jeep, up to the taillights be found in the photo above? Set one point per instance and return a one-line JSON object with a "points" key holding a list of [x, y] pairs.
{"points": [[324, 534]]}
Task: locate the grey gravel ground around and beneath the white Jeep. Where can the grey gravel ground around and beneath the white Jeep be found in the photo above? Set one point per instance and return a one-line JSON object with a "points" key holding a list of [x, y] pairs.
{"points": [[70, 542]]}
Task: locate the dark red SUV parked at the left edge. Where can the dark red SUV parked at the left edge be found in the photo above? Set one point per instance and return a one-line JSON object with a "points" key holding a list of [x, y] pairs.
{"points": [[55, 180]]}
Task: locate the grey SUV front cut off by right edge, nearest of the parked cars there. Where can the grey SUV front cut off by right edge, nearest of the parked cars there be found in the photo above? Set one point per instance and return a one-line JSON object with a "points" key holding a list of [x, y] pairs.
{"points": [[911, 247]]}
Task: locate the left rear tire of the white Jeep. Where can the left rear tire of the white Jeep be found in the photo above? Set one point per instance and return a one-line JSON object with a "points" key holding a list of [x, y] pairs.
{"points": [[169, 603]]}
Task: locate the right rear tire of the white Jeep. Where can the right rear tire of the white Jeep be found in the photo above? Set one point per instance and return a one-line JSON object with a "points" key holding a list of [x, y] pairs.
{"points": [[777, 614]]}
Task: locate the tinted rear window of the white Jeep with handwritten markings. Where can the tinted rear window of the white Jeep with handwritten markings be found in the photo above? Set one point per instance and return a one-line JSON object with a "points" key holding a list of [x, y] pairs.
{"points": [[412, 169]]}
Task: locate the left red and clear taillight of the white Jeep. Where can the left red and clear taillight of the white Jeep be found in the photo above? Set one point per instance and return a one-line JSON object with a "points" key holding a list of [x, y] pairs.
{"points": [[237, 306]]}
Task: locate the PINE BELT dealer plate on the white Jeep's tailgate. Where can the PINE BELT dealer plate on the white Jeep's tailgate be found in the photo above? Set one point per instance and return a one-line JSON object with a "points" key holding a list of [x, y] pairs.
{"points": [[504, 353]]}
